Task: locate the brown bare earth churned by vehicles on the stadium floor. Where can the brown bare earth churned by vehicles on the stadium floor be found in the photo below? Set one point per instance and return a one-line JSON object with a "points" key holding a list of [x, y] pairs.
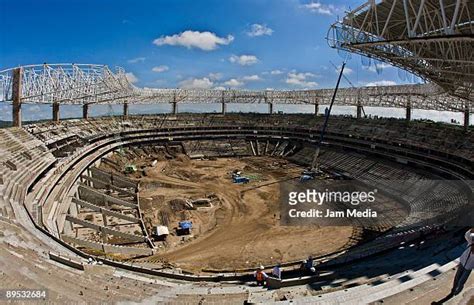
{"points": [[242, 229]]}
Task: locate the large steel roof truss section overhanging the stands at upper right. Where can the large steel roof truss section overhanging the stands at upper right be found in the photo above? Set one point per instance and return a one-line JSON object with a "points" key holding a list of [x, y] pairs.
{"points": [[433, 39]]}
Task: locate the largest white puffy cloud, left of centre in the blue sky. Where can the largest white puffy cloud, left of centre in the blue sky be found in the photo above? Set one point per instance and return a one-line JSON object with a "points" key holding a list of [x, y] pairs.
{"points": [[206, 41]]}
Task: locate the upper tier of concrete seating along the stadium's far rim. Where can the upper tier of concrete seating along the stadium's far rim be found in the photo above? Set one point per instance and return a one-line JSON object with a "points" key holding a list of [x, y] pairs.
{"points": [[439, 137]]}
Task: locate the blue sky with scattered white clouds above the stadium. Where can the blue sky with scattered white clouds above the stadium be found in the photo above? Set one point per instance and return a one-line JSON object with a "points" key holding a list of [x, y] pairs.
{"points": [[248, 44]]}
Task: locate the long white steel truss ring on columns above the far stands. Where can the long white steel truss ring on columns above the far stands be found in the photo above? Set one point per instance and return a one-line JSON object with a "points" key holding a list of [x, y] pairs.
{"points": [[97, 84]]}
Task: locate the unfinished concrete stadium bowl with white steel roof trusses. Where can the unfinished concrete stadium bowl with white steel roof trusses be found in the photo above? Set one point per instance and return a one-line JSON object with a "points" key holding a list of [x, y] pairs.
{"points": [[182, 208]]}
